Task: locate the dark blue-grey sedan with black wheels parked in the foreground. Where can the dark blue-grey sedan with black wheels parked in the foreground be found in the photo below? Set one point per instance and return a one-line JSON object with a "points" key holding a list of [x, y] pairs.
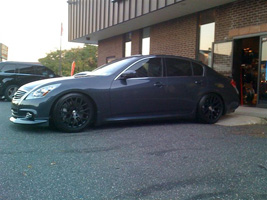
{"points": [[132, 88]]}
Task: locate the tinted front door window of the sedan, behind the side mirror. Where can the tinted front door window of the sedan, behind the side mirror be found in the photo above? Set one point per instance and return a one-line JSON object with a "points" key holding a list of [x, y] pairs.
{"points": [[148, 68]]}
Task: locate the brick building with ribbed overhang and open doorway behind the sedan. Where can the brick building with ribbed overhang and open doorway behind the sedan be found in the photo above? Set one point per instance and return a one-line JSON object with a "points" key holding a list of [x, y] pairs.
{"points": [[227, 35]]}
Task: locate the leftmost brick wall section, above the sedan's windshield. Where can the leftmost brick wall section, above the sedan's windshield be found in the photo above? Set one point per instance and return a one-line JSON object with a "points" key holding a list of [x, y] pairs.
{"points": [[111, 47]]}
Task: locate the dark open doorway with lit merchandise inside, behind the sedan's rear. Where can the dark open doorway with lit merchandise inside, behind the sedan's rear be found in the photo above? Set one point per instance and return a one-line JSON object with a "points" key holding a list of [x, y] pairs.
{"points": [[245, 69]]}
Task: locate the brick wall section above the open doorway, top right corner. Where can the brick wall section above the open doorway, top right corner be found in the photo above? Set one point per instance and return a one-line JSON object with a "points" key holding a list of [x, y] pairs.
{"points": [[240, 18]]}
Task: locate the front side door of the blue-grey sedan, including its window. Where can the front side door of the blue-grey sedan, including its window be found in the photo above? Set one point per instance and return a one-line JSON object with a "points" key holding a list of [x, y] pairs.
{"points": [[141, 95]]}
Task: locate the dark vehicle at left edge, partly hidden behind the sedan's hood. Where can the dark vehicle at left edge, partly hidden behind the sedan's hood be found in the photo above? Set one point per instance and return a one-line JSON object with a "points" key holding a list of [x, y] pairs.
{"points": [[15, 74]]}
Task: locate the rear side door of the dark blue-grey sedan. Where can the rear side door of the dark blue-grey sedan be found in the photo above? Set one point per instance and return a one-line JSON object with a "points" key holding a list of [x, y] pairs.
{"points": [[184, 86]]}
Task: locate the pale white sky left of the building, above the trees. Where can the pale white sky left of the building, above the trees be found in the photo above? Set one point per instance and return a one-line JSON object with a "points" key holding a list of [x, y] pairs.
{"points": [[32, 28]]}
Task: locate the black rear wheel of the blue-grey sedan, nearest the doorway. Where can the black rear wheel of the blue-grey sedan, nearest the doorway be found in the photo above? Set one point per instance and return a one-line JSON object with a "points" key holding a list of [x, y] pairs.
{"points": [[210, 109]]}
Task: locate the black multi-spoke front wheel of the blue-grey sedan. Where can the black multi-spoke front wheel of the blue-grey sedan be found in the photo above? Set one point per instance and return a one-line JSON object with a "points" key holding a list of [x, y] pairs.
{"points": [[72, 113]]}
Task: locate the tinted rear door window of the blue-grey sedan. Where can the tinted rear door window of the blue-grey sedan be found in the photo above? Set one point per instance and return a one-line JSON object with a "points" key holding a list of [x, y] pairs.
{"points": [[178, 67]]}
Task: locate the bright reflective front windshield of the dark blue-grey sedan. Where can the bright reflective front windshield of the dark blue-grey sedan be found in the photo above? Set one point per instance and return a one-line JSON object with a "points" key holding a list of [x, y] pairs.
{"points": [[109, 68]]}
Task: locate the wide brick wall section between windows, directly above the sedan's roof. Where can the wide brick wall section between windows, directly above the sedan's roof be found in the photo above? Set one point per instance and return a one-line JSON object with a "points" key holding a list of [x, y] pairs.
{"points": [[175, 37]]}
